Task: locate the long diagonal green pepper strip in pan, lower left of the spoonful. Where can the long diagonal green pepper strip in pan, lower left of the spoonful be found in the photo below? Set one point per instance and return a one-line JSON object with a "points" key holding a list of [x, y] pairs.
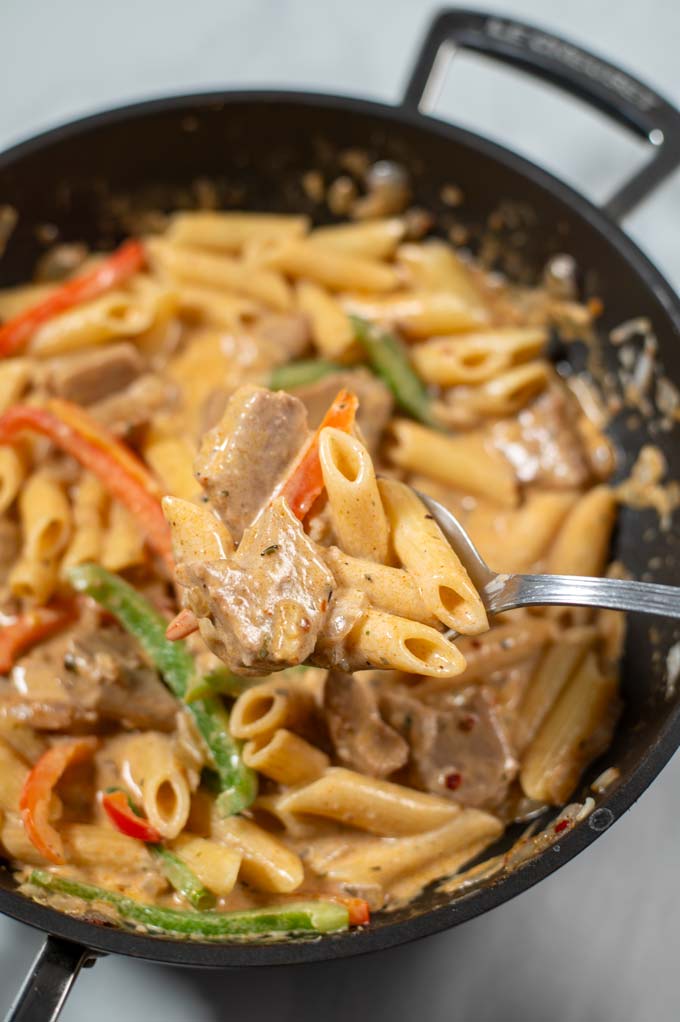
{"points": [[135, 614]]}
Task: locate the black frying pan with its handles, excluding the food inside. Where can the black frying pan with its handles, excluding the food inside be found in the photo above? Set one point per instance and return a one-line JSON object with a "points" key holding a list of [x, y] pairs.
{"points": [[87, 177]]}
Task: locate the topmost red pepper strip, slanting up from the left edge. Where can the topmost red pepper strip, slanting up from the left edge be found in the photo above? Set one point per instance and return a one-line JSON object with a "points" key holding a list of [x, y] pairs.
{"points": [[124, 263]]}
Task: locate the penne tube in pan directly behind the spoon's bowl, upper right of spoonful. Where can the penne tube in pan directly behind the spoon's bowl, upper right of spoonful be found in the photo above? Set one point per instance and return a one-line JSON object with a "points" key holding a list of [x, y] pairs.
{"points": [[468, 462]]}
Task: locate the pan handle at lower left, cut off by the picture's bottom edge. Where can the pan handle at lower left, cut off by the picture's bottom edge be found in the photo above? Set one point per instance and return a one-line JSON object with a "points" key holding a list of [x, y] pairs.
{"points": [[47, 988]]}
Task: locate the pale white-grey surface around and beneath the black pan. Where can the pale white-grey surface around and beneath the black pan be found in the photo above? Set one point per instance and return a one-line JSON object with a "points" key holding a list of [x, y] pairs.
{"points": [[599, 942]]}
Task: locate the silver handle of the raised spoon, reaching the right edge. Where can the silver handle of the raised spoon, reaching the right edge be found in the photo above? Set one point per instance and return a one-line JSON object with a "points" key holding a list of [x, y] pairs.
{"points": [[507, 592]]}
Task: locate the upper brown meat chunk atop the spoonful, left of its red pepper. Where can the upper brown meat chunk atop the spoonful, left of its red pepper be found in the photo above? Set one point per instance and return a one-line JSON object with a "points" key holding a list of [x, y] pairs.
{"points": [[247, 454]]}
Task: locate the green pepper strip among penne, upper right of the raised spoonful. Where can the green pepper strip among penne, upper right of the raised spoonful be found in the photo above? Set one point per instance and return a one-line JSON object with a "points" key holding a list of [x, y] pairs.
{"points": [[389, 359]]}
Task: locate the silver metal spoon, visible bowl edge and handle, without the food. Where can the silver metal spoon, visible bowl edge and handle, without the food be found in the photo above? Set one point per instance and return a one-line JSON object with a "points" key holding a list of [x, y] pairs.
{"points": [[506, 592]]}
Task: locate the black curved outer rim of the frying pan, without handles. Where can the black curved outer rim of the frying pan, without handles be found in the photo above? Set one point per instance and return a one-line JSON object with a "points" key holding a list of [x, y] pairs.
{"points": [[203, 955]]}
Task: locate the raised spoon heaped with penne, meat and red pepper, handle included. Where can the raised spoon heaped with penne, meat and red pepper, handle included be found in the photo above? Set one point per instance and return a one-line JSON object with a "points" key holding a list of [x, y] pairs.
{"points": [[299, 554]]}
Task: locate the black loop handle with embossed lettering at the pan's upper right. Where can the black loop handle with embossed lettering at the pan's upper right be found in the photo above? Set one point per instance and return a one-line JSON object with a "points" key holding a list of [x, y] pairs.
{"points": [[601, 84]]}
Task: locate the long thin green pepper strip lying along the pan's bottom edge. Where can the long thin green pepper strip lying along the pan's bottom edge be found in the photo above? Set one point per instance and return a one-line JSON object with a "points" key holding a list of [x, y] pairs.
{"points": [[295, 917]]}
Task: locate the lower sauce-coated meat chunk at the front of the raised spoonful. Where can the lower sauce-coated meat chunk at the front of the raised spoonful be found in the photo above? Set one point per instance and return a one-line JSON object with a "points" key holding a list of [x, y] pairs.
{"points": [[262, 611]]}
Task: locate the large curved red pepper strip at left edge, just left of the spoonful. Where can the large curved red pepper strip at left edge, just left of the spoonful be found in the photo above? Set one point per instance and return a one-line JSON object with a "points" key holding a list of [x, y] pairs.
{"points": [[124, 476]]}
